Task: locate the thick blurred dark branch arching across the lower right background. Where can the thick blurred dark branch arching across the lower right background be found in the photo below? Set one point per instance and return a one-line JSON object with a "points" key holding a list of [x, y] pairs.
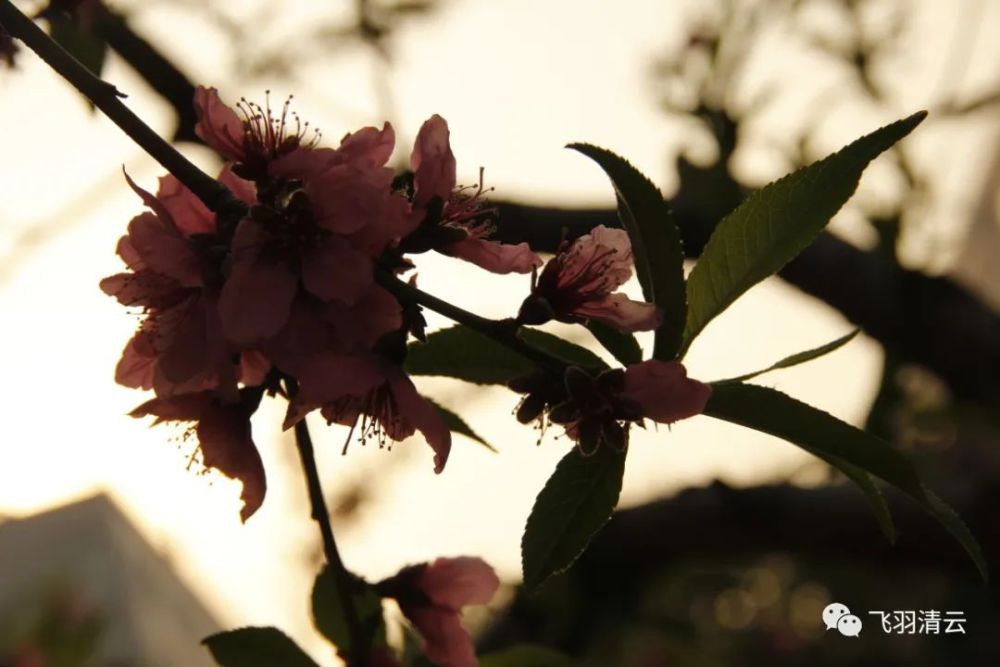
{"points": [[720, 526]]}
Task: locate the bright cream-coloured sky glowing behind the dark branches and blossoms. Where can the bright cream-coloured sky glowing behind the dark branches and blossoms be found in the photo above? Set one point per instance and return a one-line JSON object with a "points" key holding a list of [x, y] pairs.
{"points": [[515, 92]]}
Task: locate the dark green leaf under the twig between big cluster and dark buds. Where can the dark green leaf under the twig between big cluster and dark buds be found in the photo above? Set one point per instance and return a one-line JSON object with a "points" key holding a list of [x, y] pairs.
{"points": [[462, 353]]}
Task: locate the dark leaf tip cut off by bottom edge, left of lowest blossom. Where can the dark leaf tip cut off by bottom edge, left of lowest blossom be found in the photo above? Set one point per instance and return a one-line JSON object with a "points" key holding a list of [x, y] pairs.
{"points": [[256, 647]]}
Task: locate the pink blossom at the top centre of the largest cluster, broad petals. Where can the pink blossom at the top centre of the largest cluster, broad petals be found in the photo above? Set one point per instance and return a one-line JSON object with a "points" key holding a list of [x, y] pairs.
{"points": [[323, 216]]}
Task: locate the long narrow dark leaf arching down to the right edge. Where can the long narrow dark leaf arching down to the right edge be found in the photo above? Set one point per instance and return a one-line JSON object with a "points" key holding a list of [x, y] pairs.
{"points": [[777, 414]]}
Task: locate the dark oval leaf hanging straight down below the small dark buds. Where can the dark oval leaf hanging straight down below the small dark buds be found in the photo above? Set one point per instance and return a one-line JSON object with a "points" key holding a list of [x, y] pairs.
{"points": [[576, 503]]}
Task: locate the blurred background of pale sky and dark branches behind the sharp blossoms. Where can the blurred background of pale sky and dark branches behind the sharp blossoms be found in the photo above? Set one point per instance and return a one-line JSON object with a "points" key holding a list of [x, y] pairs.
{"points": [[731, 542]]}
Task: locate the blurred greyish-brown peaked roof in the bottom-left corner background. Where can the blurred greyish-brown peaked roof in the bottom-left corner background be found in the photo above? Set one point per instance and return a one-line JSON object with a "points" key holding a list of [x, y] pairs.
{"points": [[91, 550]]}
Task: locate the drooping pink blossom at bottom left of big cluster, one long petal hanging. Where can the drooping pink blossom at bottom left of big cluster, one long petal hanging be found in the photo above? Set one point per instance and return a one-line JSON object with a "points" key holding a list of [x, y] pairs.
{"points": [[224, 438]]}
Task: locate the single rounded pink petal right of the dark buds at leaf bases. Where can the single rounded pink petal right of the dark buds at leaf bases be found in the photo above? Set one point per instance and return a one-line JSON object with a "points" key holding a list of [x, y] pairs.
{"points": [[664, 391]]}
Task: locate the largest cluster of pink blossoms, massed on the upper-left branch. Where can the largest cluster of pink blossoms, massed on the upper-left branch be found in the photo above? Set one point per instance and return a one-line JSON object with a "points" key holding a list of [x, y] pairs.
{"points": [[283, 298]]}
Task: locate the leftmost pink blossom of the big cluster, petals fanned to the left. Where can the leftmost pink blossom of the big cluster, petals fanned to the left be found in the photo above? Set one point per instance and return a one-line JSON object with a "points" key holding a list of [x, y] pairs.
{"points": [[173, 277]]}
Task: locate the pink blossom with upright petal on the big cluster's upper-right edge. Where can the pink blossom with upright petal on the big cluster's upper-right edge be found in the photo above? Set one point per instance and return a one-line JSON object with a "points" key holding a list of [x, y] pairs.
{"points": [[436, 201]]}
